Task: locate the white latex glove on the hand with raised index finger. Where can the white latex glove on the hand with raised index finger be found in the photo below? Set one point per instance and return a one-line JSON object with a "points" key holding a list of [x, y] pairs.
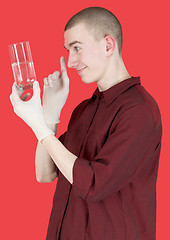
{"points": [[56, 89]]}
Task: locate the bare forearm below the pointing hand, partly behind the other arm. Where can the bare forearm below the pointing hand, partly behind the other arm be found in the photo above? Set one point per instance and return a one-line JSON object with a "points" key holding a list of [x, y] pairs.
{"points": [[44, 165]]}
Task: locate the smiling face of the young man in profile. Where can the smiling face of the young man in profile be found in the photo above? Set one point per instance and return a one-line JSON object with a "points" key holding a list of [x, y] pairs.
{"points": [[86, 54]]}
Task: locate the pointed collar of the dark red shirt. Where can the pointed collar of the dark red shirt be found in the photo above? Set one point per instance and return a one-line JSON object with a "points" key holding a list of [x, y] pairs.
{"points": [[112, 93]]}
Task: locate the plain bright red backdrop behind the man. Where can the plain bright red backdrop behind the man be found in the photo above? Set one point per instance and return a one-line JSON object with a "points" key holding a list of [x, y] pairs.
{"points": [[25, 204]]}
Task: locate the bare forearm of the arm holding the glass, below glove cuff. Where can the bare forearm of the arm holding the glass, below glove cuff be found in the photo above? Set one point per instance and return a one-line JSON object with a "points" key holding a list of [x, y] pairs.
{"points": [[63, 158]]}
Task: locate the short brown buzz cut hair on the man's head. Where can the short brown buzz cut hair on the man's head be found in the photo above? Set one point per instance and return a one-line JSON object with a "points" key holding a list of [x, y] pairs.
{"points": [[100, 22]]}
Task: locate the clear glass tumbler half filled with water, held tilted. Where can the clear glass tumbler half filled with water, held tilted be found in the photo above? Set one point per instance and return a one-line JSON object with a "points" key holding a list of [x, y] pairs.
{"points": [[22, 64]]}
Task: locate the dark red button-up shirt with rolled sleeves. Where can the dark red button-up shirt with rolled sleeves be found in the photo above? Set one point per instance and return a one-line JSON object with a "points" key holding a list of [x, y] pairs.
{"points": [[116, 135]]}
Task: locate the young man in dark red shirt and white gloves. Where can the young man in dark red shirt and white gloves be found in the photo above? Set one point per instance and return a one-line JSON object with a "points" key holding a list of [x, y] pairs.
{"points": [[107, 160]]}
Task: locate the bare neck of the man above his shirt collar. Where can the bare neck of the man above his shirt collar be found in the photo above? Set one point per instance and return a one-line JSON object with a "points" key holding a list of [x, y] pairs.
{"points": [[116, 72]]}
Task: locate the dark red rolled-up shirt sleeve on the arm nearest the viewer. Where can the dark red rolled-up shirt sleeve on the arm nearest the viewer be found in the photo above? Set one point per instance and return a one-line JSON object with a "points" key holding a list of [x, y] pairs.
{"points": [[127, 148]]}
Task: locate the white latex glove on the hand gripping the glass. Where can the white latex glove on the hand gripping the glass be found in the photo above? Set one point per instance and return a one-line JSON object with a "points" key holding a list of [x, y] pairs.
{"points": [[31, 111]]}
